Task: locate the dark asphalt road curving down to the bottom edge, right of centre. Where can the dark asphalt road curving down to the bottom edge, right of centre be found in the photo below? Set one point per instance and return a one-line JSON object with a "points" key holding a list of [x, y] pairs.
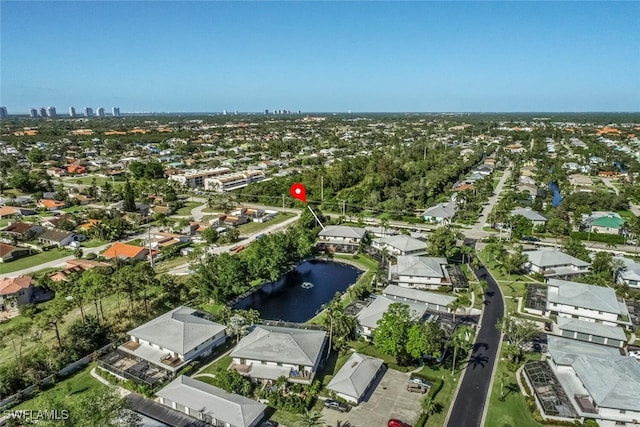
{"points": [[472, 395]]}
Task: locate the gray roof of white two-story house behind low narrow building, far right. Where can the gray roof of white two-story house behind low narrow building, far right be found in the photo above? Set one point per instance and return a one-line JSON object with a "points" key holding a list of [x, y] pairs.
{"points": [[593, 297]]}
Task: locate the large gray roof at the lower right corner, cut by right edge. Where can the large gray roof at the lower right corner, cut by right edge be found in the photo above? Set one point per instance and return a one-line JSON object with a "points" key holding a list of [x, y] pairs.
{"points": [[611, 379]]}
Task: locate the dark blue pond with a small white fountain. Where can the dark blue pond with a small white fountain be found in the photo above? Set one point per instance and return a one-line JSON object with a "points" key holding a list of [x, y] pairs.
{"points": [[298, 297]]}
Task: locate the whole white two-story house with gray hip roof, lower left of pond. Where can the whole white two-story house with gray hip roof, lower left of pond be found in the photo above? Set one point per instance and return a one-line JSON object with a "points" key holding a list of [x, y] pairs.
{"points": [[175, 338]]}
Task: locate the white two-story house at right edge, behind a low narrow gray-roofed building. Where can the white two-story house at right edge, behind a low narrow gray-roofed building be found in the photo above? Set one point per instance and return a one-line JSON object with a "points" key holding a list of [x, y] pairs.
{"points": [[585, 302]]}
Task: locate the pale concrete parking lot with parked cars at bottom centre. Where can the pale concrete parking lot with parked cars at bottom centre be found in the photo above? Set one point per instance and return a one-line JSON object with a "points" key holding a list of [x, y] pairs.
{"points": [[390, 399]]}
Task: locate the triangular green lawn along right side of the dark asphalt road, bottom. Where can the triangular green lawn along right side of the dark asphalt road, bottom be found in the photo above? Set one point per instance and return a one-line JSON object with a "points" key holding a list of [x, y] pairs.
{"points": [[513, 411]]}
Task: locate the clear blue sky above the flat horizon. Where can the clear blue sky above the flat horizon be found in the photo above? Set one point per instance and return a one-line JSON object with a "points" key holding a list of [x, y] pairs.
{"points": [[320, 56]]}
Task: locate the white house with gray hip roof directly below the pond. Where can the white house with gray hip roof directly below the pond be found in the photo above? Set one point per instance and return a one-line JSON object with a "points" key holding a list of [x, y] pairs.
{"points": [[270, 352]]}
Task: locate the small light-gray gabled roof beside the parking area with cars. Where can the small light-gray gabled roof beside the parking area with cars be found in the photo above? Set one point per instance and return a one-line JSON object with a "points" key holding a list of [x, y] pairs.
{"points": [[356, 374]]}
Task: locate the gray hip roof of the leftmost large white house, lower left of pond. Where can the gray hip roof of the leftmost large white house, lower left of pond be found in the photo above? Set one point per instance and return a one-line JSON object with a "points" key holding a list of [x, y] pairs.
{"points": [[179, 330]]}
